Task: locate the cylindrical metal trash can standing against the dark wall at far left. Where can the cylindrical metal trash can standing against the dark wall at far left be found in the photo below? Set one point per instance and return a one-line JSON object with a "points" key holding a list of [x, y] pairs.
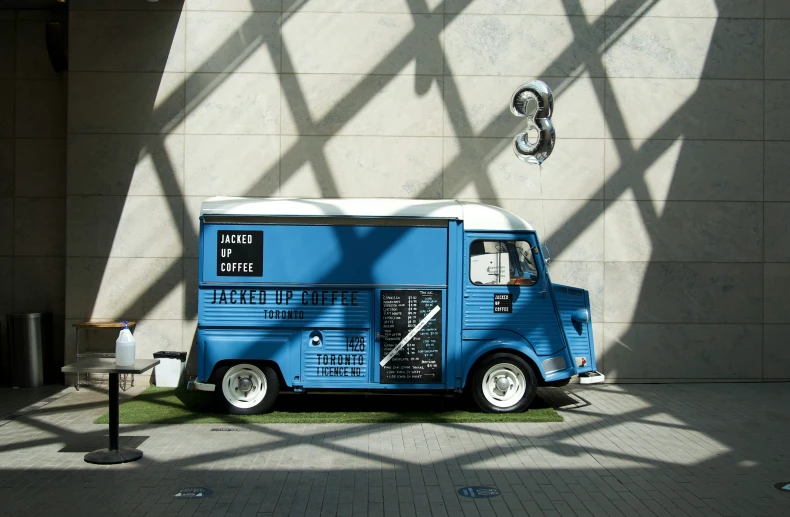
{"points": [[26, 335]]}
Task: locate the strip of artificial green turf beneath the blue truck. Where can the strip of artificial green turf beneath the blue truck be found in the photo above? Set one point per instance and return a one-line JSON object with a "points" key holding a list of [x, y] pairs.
{"points": [[178, 406]]}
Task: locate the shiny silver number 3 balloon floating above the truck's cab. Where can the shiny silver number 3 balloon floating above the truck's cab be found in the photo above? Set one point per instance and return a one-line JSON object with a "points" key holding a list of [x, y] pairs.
{"points": [[534, 101]]}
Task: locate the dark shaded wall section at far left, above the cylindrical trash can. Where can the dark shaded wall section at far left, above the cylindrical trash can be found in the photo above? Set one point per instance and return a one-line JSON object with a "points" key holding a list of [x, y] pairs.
{"points": [[32, 171]]}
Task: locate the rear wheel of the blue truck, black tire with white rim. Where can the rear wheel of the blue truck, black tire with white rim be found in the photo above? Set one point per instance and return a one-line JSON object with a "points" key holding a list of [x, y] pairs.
{"points": [[259, 398]]}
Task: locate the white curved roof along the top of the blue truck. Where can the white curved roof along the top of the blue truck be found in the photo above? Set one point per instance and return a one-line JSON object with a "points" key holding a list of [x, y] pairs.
{"points": [[476, 216]]}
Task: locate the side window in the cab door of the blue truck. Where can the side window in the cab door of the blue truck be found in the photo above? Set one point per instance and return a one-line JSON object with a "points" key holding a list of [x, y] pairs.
{"points": [[502, 263]]}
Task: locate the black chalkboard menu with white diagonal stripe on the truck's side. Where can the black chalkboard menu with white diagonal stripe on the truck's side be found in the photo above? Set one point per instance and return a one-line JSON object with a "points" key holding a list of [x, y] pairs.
{"points": [[418, 355]]}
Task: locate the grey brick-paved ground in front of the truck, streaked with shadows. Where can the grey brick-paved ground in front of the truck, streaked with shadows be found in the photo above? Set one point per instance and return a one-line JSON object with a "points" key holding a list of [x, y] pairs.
{"points": [[699, 449]]}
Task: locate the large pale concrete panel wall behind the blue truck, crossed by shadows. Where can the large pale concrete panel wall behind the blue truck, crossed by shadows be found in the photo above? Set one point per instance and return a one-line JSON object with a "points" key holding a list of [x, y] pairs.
{"points": [[667, 195]]}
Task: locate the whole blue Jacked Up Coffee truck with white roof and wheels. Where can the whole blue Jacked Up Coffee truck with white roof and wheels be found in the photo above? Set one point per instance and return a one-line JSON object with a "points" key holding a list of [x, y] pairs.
{"points": [[381, 294]]}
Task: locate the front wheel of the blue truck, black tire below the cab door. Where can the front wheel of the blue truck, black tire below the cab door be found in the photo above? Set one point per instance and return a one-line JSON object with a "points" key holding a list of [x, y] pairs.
{"points": [[513, 368]]}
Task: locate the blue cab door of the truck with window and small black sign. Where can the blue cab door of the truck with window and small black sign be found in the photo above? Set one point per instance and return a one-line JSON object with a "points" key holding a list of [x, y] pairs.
{"points": [[504, 290]]}
